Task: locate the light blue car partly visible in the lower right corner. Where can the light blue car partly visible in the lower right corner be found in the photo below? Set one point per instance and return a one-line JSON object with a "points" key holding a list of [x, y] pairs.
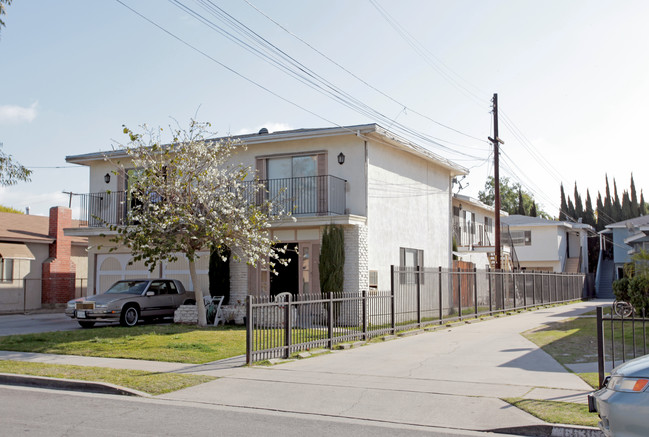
{"points": [[623, 402]]}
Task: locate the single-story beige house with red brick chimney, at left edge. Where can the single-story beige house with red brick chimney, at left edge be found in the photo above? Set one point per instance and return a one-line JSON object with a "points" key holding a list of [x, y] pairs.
{"points": [[39, 265]]}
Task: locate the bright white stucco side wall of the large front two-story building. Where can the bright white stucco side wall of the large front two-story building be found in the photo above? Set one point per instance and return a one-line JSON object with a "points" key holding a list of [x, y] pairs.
{"points": [[409, 205]]}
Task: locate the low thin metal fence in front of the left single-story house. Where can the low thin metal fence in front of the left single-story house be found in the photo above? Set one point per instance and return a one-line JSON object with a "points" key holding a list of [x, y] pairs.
{"points": [[24, 295]]}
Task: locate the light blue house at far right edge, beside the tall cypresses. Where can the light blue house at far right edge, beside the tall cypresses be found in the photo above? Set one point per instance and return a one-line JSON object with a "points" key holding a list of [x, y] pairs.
{"points": [[628, 236]]}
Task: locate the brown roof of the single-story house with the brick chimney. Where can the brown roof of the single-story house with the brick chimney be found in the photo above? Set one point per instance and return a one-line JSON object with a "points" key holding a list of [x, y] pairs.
{"points": [[30, 229]]}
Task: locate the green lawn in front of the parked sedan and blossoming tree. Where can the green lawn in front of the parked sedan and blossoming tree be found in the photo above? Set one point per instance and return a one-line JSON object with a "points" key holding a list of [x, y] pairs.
{"points": [[173, 343]]}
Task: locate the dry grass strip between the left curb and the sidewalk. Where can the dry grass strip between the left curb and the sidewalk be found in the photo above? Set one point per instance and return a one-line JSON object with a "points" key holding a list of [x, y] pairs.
{"points": [[148, 382]]}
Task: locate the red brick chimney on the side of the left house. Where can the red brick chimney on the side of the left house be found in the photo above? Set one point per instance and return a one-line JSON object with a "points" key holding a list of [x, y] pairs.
{"points": [[59, 270]]}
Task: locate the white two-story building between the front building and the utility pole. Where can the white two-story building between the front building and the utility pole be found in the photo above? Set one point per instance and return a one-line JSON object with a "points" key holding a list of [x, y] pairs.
{"points": [[474, 232]]}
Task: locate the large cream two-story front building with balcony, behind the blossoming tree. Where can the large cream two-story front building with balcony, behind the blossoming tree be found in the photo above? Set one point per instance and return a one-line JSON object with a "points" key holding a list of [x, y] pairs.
{"points": [[392, 197]]}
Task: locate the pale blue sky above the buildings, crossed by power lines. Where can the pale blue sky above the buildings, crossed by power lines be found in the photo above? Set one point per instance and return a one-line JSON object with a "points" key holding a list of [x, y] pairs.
{"points": [[572, 79]]}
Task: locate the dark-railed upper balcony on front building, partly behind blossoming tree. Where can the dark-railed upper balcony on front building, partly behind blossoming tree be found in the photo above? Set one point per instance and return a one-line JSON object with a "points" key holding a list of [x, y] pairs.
{"points": [[303, 196]]}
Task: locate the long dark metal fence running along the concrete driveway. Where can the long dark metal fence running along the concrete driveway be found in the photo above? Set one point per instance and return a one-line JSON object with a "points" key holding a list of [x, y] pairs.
{"points": [[278, 328]]}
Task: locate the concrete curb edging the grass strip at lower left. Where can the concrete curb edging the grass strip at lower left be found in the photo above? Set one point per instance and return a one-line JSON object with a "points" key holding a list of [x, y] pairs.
{"points": [[68, 384]]}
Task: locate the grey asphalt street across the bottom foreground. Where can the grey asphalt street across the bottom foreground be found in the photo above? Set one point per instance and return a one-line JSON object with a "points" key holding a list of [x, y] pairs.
{"points": [[37, 412]]}
